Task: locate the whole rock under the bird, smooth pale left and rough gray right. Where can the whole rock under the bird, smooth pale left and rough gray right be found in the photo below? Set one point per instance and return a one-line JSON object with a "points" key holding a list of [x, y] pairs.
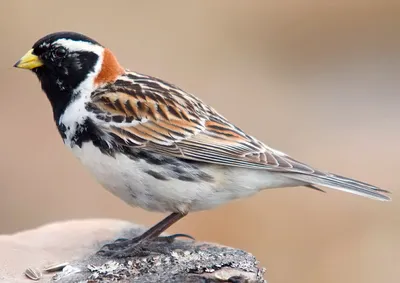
{"points": [[77, 241]]}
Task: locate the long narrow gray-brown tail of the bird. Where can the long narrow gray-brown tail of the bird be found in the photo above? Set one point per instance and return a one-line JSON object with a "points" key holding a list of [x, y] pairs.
{"points": [[341, 183]]}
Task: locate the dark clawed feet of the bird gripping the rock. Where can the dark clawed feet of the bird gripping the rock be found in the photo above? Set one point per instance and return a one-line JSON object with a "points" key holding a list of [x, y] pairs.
{"points": [[138, 246]]}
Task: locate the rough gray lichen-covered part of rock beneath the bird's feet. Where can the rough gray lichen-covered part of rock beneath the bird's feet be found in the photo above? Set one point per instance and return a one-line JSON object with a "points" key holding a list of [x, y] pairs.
{"points": [[188, 262]]}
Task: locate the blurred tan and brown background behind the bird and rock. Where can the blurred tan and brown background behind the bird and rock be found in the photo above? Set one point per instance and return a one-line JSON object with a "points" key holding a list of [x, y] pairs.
{"points": [[317, 80]]}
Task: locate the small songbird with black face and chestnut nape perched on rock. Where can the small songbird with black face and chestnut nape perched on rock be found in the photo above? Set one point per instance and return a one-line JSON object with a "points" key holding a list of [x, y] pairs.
{"points": [[155, 145]]}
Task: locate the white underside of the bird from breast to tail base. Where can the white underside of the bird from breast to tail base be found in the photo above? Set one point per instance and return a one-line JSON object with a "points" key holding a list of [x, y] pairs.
{"points": [[129, 179]]}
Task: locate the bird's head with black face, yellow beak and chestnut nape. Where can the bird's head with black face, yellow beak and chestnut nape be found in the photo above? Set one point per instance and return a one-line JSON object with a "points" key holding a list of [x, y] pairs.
{"points": [[67, 62]]}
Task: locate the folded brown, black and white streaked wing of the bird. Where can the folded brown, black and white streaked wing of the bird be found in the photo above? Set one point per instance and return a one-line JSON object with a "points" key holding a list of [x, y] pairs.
{"points": [[142, 111]]}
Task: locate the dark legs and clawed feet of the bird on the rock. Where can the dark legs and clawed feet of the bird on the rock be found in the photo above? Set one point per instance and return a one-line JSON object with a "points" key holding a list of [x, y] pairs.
{"points": [[142, 245]]}
